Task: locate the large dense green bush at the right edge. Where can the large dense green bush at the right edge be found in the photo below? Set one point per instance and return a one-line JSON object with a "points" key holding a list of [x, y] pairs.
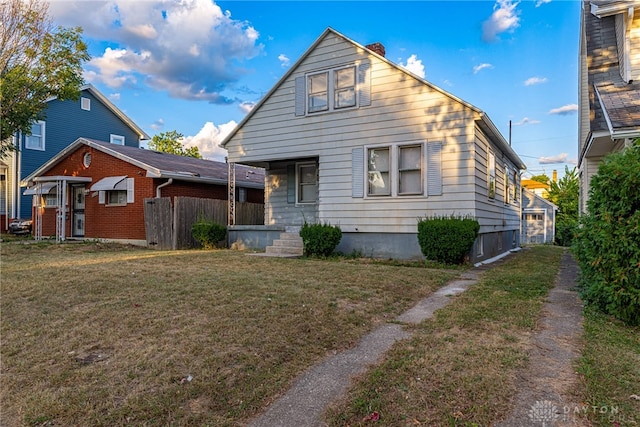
{"points": [[607, 244]]}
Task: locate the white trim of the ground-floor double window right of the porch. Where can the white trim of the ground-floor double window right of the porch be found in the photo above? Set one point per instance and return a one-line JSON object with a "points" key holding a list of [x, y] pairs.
{"points": [[394, 172]]}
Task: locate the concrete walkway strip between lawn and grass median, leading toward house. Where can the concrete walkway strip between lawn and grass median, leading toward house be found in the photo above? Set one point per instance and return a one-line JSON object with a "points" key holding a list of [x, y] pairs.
{"points": [[304, 404]]}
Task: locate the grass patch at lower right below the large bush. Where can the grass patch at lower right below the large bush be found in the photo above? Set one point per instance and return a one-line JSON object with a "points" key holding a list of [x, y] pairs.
{"points": [[610, 365]]}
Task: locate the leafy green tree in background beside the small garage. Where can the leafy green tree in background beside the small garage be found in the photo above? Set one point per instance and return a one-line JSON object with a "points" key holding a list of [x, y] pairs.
{"points": [[565, 194]]}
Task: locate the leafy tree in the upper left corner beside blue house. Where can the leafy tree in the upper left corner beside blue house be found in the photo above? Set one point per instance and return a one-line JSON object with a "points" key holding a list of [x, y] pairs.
{"points": [[37, 62]]}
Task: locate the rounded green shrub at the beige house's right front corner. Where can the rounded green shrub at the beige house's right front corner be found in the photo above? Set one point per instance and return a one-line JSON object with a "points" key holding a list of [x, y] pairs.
{"points": [[447, 239]]}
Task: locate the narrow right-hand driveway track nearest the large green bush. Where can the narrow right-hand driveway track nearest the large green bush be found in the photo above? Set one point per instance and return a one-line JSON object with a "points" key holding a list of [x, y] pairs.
{"points": [[547, 388]]}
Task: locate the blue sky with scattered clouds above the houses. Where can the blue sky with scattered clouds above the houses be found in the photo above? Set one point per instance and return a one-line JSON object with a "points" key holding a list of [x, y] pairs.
{"points": [[198, 66]]}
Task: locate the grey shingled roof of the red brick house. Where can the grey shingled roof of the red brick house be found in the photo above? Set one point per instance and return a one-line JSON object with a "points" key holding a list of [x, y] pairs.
{"points": [[163, 165]]}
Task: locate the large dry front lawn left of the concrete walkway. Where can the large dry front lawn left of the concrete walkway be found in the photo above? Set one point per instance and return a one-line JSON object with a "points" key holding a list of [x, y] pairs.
{"points": [[106, 335]]}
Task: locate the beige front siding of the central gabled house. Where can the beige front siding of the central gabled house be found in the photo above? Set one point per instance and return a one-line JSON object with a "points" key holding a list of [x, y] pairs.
{"points": [[403, 111]]}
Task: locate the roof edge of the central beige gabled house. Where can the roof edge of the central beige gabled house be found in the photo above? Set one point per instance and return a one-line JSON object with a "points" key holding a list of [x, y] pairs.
{"points": [[484, 121]]}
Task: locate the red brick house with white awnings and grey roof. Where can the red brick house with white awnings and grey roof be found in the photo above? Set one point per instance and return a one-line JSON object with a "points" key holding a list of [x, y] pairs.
{"points": [[96, 190]]}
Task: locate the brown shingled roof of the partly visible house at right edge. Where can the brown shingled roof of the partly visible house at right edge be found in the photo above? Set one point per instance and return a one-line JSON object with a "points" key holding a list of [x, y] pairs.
{"points": [[614, 103]]}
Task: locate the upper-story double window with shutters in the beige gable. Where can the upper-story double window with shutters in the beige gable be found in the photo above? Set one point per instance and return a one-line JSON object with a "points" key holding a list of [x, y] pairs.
{"points": [[335, 89]]}
